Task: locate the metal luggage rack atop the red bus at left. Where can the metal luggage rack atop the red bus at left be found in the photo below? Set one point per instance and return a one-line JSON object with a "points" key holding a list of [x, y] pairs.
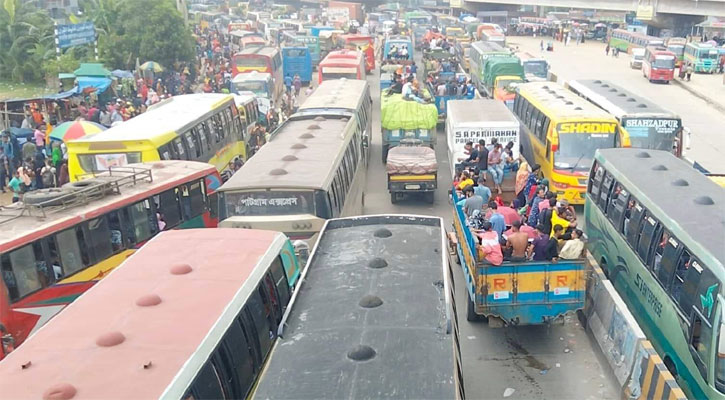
{"points": [[91, 187]]}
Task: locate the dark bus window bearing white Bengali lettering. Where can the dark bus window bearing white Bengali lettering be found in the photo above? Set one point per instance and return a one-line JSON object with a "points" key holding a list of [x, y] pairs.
{"points": [[269, 203]]}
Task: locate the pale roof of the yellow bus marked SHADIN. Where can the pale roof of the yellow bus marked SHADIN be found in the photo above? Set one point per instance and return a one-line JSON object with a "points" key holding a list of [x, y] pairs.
{"points": [[560, 103]]}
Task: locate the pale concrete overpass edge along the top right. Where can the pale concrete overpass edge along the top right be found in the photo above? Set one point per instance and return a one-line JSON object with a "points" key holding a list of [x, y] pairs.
{"points": [[684, 7]]}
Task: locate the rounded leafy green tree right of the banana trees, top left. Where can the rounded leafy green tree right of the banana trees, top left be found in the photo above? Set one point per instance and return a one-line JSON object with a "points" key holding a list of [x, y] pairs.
{"points": [[149, 30]]}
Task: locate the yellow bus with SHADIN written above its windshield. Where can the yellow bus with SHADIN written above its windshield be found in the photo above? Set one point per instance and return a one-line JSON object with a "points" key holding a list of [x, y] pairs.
{"points": [[561, 132]]}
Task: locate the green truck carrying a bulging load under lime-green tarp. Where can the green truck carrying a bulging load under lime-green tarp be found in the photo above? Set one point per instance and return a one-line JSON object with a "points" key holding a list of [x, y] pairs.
{"points": [[407, 119]]}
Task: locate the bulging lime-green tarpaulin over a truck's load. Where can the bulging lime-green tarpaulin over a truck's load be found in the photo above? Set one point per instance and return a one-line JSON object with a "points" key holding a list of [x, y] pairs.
{"points": [[407, 114]]}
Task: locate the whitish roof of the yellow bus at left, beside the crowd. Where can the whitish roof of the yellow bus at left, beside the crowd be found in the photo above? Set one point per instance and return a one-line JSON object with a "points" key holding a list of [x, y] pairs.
{"points": [[163, 121]]}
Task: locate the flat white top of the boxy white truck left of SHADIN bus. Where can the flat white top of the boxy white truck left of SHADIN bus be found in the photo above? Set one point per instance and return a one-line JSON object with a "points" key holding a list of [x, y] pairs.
{"points": [[478, 110]]}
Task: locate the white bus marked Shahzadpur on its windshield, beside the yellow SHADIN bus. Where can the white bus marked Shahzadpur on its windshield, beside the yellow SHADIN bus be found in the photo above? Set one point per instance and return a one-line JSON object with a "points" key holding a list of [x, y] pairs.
{"points": [[648, 125]]}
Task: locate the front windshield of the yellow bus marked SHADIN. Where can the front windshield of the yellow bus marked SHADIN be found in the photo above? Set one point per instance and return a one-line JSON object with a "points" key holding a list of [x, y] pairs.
{"points": [[576, 150]]}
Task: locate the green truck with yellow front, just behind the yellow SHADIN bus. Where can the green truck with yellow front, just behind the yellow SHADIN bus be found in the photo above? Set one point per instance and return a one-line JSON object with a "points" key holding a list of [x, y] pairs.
{"points": [[500, 75]]}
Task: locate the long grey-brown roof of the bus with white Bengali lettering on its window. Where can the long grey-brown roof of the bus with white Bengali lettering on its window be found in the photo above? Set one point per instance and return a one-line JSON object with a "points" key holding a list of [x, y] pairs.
{"points": [[297, 156]]}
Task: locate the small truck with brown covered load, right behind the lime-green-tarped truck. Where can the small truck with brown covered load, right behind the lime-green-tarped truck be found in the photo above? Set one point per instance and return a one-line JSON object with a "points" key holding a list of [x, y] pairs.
{"points": [[412, 169]]}
